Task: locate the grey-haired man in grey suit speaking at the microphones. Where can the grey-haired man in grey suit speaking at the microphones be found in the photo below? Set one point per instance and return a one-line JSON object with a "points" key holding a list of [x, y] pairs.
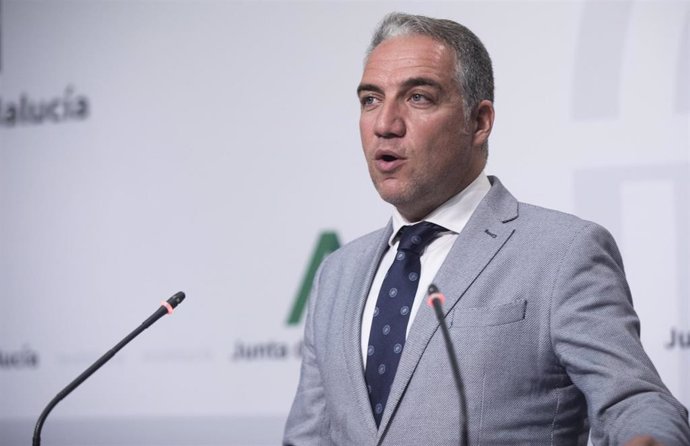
{"points": [[538, 307]]}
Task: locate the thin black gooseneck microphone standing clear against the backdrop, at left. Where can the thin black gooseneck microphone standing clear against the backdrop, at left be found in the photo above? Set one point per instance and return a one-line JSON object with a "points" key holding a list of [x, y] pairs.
{"points": [[165, 308]]}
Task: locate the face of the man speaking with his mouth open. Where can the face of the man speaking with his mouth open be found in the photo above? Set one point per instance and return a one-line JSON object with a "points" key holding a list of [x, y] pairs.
{"points": [[412, 124]]}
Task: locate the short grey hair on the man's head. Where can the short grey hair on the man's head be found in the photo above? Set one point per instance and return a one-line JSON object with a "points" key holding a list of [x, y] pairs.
{"points": [[474, 73]]}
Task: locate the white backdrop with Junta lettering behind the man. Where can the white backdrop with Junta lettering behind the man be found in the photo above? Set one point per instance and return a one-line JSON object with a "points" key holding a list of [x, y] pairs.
{"points": [[150, 147]]}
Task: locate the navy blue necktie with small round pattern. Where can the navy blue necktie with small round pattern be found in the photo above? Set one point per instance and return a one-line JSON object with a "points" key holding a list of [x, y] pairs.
{"points": [[392, 312]]}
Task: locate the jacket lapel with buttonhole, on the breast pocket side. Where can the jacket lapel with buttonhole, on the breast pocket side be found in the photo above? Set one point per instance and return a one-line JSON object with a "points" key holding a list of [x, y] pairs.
{"points": [[478, 243]]}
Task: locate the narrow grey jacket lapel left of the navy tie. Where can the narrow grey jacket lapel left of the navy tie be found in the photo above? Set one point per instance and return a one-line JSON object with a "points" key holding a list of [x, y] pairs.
{"points": [[368, 264]]}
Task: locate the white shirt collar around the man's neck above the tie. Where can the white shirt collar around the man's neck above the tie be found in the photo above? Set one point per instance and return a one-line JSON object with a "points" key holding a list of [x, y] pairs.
{"points": [[454, 213]]}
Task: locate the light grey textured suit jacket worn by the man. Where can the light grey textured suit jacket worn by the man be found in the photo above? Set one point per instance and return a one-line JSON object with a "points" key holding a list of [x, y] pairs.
{"points": [[543, 326]]}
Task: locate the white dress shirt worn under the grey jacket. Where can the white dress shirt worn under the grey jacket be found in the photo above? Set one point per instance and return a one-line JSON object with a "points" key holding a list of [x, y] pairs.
{"points": [[452, 215]]}
